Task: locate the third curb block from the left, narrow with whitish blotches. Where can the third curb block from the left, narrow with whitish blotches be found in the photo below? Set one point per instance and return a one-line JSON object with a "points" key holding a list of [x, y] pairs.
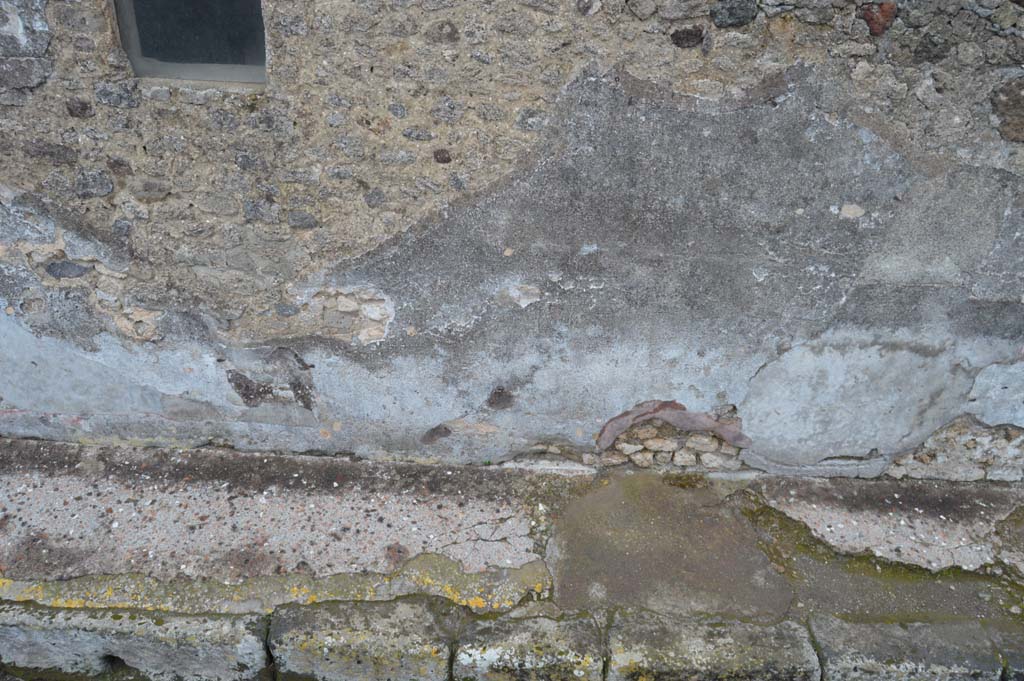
{"points": [[531, 650]]}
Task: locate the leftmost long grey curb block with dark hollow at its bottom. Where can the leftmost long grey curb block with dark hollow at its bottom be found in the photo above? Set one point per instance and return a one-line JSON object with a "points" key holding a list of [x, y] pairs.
{"points": [[162, 647]]}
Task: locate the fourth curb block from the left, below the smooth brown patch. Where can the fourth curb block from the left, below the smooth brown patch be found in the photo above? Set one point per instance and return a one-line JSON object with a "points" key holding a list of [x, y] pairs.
{"points": [[644, 646]]}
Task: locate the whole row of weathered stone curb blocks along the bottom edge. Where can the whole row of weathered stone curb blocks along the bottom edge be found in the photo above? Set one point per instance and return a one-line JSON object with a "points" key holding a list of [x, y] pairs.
{"points": [[423, 639]]}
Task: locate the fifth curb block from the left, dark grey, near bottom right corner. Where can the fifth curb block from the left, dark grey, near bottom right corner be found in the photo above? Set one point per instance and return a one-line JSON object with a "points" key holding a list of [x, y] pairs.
{"points": [[914, 652]]}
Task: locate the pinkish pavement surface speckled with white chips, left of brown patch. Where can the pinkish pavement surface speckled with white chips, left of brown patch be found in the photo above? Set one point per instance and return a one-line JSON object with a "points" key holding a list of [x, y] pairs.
{"points": [[231, 517]]}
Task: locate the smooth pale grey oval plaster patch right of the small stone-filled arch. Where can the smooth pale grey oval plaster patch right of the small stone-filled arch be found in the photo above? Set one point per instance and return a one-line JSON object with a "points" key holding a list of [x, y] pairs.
{"points": [[828, 399]]}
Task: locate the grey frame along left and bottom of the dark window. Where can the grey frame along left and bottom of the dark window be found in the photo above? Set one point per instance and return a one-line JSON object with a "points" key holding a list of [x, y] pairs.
{"points": [[149, 68]]}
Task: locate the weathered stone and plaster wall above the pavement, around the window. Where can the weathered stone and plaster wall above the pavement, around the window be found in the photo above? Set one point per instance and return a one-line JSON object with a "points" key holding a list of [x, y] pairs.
{"points": [[455, 231]]}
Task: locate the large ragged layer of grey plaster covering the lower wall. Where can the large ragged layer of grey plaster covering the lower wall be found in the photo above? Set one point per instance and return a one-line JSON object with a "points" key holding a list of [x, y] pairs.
{"points": [[652, 249]]}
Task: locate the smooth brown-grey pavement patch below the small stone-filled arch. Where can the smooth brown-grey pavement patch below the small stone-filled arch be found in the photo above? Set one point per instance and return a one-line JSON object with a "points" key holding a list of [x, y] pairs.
{"points": [[636, 541]]}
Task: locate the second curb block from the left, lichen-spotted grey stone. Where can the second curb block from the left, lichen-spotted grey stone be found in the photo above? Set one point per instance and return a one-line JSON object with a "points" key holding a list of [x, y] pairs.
{"points": [[403, 641]]}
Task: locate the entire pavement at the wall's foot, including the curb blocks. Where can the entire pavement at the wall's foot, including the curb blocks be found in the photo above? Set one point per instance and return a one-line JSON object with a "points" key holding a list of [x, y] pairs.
{"points": [[122, 563]]}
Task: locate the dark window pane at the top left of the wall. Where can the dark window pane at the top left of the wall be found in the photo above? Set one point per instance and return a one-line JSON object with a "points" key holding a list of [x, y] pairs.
{"points": [[201, 31]]}
